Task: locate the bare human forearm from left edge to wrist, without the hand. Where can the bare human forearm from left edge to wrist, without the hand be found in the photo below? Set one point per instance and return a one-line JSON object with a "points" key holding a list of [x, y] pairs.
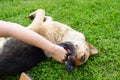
{"points": [[25, 35]]}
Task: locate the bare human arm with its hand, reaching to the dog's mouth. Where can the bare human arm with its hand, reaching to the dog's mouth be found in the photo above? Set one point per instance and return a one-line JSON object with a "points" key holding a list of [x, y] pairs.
{"points": [[23, 34]]}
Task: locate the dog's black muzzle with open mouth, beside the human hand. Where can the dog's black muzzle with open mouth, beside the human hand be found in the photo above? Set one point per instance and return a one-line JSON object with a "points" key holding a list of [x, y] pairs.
{"points": [[69, 62]]}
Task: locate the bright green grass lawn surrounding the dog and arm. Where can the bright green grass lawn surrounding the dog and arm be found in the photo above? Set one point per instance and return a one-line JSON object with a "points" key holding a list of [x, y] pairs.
{"points": [[99, 20]]}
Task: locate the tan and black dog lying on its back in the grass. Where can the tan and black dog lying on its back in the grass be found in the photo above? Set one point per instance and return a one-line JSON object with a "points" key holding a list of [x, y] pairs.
{"points": [[16, 56]]}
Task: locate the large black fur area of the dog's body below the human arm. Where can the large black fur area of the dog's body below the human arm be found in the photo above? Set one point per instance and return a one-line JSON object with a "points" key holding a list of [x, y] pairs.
{"points": [[17, 57]]}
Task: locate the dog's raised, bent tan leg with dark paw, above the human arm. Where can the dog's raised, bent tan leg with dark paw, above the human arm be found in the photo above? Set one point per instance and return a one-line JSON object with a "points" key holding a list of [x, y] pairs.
{"points": [[37, 23]]}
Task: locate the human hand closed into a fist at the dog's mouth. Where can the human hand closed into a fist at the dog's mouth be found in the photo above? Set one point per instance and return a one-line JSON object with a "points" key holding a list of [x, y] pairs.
{"points": [[59, 53]]}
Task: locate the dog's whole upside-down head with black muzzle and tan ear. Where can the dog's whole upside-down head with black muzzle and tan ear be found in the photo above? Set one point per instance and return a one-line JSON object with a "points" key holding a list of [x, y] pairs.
{"points": [[77, 54]]}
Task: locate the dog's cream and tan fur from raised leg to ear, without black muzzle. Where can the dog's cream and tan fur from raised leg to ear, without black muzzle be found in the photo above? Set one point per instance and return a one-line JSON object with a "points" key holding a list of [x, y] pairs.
{"points": [[57, 32]]}
